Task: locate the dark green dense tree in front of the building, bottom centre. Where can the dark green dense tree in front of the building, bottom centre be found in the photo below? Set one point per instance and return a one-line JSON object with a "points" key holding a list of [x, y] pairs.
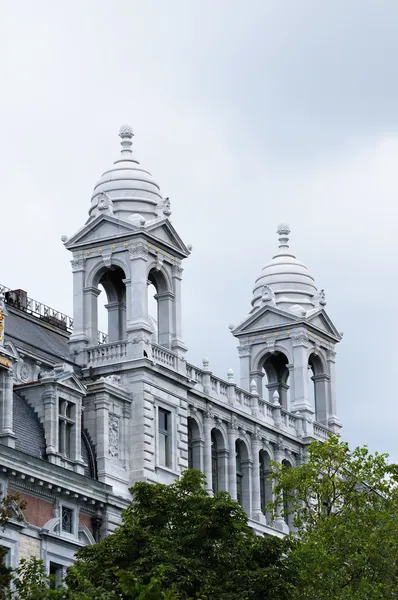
{"points": [[188, 544]]}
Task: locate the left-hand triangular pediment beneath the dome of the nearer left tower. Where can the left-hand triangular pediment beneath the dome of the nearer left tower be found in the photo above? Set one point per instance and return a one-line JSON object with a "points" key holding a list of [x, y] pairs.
{"points": [[99, 230]]}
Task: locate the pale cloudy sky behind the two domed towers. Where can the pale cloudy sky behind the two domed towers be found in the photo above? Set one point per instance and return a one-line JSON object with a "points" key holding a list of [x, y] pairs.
{"points": [[247, 113]]}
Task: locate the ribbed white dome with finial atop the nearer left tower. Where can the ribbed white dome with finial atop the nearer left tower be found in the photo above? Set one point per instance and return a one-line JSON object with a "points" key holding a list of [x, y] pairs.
{"points": [[126, 191]]}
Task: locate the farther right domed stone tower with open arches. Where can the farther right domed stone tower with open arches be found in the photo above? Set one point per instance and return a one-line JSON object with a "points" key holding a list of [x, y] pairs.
{"points": [[287, 342]]}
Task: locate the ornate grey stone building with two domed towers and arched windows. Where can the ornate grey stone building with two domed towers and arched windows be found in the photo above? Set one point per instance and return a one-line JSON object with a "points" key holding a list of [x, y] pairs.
{"points": [[85, 414]]}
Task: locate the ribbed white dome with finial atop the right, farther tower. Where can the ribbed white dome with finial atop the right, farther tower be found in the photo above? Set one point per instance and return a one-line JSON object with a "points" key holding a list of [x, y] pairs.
{"points": [[284, 282]]}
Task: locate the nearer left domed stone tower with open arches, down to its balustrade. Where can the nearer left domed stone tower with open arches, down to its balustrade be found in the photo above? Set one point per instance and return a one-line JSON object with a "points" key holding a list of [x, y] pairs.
{"points": [[127, 243]]}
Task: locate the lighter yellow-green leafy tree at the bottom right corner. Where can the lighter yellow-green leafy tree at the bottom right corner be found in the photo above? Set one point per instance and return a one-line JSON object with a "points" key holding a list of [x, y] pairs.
{"points": [[345, 509]]}
